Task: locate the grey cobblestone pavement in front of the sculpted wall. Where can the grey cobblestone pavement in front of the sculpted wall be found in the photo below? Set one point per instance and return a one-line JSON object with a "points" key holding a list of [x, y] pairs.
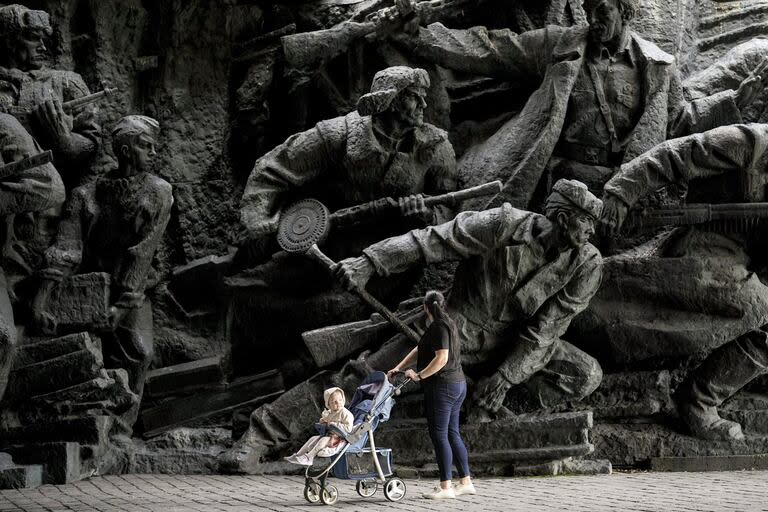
{"points": [[744, 491]]}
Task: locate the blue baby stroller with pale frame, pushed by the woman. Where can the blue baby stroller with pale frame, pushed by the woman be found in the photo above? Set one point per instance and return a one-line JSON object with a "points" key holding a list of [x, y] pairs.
{"points": [[370, 466]]}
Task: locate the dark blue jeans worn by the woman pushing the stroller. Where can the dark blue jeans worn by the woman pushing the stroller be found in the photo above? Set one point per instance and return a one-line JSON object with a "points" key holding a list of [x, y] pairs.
{"points": [[442, 403]]}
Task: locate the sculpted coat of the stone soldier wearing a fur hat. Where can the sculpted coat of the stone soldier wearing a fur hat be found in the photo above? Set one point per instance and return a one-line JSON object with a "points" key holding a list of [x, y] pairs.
{"points": [[342, 163]]}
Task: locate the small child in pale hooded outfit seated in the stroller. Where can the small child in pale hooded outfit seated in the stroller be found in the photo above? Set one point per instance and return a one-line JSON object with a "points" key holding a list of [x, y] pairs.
{"points": [[334, 415]]}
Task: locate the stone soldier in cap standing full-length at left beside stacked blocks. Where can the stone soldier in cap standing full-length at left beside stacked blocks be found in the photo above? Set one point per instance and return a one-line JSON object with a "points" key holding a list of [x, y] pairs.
{"points": [[114, 225]]}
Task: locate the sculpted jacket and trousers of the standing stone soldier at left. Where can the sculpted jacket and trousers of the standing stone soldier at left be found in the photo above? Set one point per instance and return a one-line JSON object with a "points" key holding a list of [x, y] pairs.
{"points": [[115, 225]]}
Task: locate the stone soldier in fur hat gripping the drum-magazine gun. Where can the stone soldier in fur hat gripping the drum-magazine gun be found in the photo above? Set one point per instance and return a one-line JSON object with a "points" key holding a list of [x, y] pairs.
{"points": [[384, 149]]}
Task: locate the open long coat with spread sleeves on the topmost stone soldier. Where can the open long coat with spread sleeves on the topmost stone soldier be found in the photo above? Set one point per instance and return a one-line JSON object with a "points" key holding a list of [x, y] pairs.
{"points": [[554, 57]]}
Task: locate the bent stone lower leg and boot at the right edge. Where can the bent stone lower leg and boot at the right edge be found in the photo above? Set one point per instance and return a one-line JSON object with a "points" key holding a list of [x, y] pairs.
{"points": [[719, 377]]}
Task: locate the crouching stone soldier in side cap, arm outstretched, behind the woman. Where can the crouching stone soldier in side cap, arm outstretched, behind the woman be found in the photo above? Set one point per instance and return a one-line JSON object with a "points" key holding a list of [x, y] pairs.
{"points": [[522, 278]]}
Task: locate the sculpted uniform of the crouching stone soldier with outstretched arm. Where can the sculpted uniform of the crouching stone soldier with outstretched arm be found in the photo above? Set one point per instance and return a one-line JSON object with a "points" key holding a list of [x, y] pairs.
{"points": [[511, 301]]}
